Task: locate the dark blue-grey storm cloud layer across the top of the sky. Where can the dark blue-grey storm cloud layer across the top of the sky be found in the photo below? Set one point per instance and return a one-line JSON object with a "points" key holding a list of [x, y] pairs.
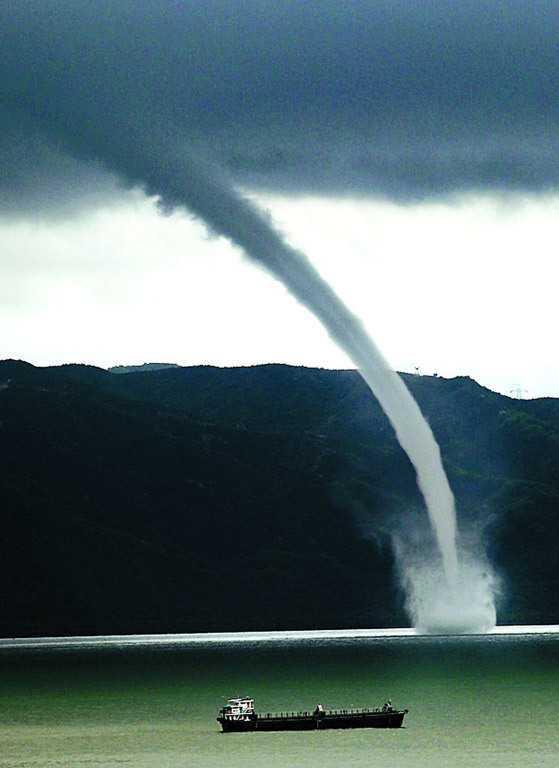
{"points": [[402, 99]]}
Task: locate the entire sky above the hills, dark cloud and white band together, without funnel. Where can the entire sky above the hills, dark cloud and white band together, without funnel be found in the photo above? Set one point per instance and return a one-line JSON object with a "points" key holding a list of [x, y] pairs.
{"points": [[409, 149]]}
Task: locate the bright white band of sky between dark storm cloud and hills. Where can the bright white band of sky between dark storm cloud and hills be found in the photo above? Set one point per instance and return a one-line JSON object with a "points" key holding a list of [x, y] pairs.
{"points": [[468, 288]]}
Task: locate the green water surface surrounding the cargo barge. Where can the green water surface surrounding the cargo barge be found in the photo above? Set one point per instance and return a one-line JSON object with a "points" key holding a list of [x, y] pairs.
{"points": [[474, 701]]}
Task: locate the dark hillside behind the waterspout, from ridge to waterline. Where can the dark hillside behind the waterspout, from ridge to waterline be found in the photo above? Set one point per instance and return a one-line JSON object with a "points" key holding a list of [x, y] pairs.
{"points": [[192, 499]]}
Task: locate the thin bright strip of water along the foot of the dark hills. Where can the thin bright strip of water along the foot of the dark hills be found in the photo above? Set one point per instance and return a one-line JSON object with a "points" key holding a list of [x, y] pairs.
{"points": [[257, 637]]}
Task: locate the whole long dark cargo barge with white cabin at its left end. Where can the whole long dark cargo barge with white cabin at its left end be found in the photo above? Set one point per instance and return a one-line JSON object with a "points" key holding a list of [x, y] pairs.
{"points": [[239, 716]]}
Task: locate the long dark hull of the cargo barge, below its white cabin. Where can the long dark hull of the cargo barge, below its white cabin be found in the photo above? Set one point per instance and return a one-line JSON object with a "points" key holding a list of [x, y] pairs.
{"points": [[310, 722]]}
